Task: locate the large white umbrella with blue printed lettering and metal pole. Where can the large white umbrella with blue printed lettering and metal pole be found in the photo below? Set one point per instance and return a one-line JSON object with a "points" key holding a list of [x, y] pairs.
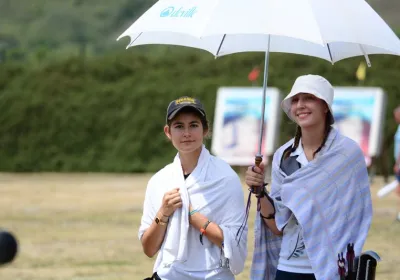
{"points": [[329, 29]]}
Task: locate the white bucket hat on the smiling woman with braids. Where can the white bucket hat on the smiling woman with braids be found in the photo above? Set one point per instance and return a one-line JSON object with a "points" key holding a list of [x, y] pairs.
{"points": [[312, 84]]}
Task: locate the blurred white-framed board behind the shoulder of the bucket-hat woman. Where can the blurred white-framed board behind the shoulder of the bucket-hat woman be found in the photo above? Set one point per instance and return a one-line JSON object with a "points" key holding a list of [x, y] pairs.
{"points": [[359, 114]]}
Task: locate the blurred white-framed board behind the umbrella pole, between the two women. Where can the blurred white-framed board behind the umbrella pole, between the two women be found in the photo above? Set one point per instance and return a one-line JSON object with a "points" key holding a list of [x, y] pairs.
{"points": [[236, 128]]}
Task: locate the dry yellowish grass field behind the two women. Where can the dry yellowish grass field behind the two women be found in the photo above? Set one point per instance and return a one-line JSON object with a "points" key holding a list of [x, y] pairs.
{"points": [[84, 226]]}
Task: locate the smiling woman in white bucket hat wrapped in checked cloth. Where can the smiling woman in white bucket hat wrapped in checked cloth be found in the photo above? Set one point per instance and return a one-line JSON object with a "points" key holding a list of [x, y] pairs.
{"points": [[319, 204]]}
